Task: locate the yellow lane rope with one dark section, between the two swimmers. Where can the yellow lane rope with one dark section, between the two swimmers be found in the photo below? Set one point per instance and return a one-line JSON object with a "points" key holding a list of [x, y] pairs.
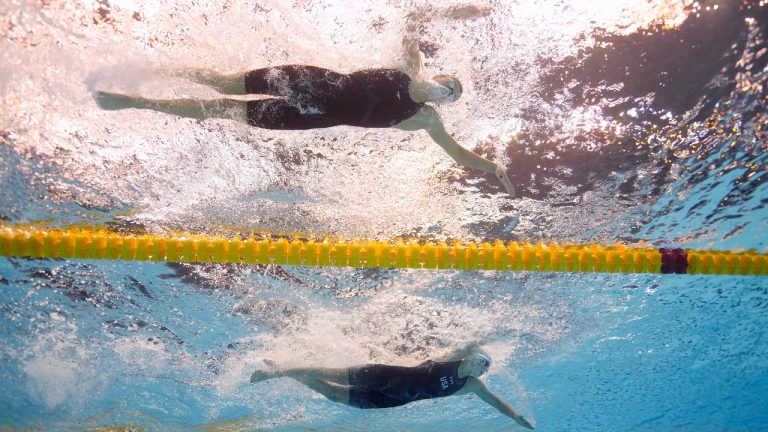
{"points": [[100, 243]]}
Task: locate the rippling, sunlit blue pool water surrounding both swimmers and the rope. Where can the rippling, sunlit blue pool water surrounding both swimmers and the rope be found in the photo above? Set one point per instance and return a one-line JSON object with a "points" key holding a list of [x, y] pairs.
{"points": [[615, 127]]}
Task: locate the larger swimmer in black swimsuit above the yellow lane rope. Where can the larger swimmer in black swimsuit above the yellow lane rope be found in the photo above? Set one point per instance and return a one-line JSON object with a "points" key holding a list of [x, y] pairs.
{"points": [[309, 97]]}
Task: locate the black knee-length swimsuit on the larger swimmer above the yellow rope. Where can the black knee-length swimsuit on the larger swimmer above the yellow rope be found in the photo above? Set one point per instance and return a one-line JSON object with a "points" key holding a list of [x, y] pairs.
{"points": [[312, 97]]}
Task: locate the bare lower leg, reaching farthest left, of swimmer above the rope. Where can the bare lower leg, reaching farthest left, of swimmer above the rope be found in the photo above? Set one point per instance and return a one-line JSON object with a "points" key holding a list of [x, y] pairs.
{"points": [[190, 108]]}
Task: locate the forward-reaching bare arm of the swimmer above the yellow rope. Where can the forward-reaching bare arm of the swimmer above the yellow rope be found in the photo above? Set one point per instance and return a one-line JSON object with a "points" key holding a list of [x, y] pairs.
{"points": [[428, 119]]}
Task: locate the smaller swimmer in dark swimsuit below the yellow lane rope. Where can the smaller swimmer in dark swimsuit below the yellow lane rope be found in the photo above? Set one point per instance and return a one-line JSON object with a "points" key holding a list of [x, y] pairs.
{"points": [[385, 386]]}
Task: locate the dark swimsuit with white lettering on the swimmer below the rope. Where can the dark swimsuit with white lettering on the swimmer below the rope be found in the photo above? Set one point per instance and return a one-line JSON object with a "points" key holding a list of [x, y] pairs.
{"points": [[384, 386]]}
